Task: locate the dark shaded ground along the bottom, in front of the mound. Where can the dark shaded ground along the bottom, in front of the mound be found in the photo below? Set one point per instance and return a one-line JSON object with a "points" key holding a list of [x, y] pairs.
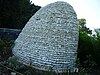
{"points": [[5, 71]]}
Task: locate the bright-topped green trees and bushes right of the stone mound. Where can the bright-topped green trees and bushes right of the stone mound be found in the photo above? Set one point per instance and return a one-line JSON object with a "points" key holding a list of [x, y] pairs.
{"points": [[88, 48]]}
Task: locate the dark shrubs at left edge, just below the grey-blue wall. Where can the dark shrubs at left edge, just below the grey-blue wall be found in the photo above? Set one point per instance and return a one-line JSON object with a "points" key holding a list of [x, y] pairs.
{"points": [[5, 49]]}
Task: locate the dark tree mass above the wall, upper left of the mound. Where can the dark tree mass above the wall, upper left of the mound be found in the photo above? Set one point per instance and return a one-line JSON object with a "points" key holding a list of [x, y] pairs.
{"points": [[15, 13]]}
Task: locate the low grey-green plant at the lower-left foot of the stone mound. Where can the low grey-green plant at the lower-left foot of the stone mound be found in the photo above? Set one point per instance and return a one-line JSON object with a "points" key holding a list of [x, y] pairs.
{"points": [[12, 65]]}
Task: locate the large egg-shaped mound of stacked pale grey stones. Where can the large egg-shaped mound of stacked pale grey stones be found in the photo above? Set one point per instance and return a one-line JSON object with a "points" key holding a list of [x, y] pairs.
{"points": [[50, 38]]}
